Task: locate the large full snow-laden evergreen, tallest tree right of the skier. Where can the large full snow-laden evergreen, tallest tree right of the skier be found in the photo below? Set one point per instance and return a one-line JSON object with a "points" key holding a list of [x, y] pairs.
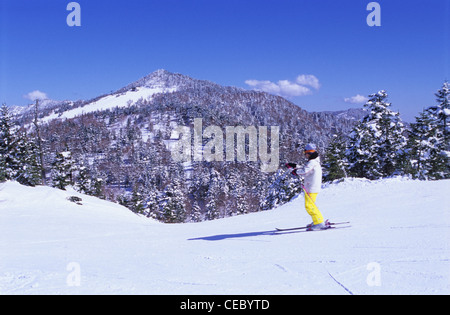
{"points": [[377, 143]]}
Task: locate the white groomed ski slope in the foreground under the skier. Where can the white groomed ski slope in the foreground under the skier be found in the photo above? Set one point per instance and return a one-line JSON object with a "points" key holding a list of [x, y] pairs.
{"points": [[398, 244]]}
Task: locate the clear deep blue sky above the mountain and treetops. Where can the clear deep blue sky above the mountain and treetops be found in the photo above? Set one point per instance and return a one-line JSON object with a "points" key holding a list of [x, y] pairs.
{"points": [[320, 54]]}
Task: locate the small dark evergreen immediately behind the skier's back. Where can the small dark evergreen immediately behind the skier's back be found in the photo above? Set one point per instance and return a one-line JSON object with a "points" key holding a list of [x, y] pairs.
{"points": [[335, 162]]}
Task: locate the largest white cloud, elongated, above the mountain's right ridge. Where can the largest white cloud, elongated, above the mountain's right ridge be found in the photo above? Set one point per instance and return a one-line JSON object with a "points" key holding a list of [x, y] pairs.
{"points": [[287, 88]]}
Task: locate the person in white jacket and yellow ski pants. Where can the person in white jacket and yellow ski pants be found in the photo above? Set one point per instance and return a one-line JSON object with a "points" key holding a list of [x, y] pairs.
{"points": [[312, 174]]}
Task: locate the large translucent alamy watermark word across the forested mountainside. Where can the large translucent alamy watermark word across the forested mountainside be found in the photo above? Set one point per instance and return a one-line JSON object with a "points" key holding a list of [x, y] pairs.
{"points": [[188, 145]]}
